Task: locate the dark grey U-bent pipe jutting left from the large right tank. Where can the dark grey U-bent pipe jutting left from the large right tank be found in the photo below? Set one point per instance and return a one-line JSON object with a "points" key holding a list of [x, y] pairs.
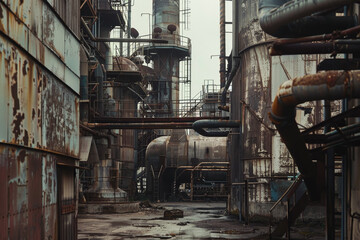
{"points": [[199, 126]]}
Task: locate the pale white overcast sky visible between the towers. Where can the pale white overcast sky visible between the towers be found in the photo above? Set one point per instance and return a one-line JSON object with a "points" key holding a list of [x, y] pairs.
{"points": [[204, 34]]}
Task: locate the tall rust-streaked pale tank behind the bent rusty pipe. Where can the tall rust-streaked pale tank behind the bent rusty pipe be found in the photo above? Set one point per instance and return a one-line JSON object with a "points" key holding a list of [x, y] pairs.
{"points": [[262, 154]]}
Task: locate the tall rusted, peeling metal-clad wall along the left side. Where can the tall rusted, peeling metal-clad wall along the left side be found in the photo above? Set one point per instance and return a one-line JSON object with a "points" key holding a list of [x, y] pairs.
{"points": [[39, 86]]}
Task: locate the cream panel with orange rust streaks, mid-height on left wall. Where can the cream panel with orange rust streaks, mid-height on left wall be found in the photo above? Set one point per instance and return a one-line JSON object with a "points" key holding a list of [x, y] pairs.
{"points": [[25, 108]]}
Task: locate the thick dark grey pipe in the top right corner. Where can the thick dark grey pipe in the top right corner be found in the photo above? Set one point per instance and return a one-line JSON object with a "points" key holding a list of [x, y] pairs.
{"points": [[284, 18]]}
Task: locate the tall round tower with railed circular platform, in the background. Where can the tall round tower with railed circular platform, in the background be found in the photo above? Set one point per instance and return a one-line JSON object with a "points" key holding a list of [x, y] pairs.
{"points": [[164, 97]]}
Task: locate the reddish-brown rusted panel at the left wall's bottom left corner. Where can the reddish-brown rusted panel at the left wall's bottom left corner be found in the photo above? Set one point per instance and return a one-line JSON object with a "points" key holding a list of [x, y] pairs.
{"points": [[24, 209]]}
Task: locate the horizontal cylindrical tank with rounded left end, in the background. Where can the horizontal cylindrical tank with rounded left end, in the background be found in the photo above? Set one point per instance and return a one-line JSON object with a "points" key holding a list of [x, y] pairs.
{"points": [[166, 155]]}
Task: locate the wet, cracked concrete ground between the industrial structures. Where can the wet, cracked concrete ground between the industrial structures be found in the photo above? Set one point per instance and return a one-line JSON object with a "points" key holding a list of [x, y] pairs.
{"points": [[205, 220]]}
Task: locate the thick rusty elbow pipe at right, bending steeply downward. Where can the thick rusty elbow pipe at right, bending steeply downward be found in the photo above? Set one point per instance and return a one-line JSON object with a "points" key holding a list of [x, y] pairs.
{"points": [[329, 85]]}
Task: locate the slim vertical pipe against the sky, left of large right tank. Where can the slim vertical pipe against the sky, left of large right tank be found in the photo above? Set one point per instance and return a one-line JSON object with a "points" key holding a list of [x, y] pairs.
{"points": [[222, 43]]}
